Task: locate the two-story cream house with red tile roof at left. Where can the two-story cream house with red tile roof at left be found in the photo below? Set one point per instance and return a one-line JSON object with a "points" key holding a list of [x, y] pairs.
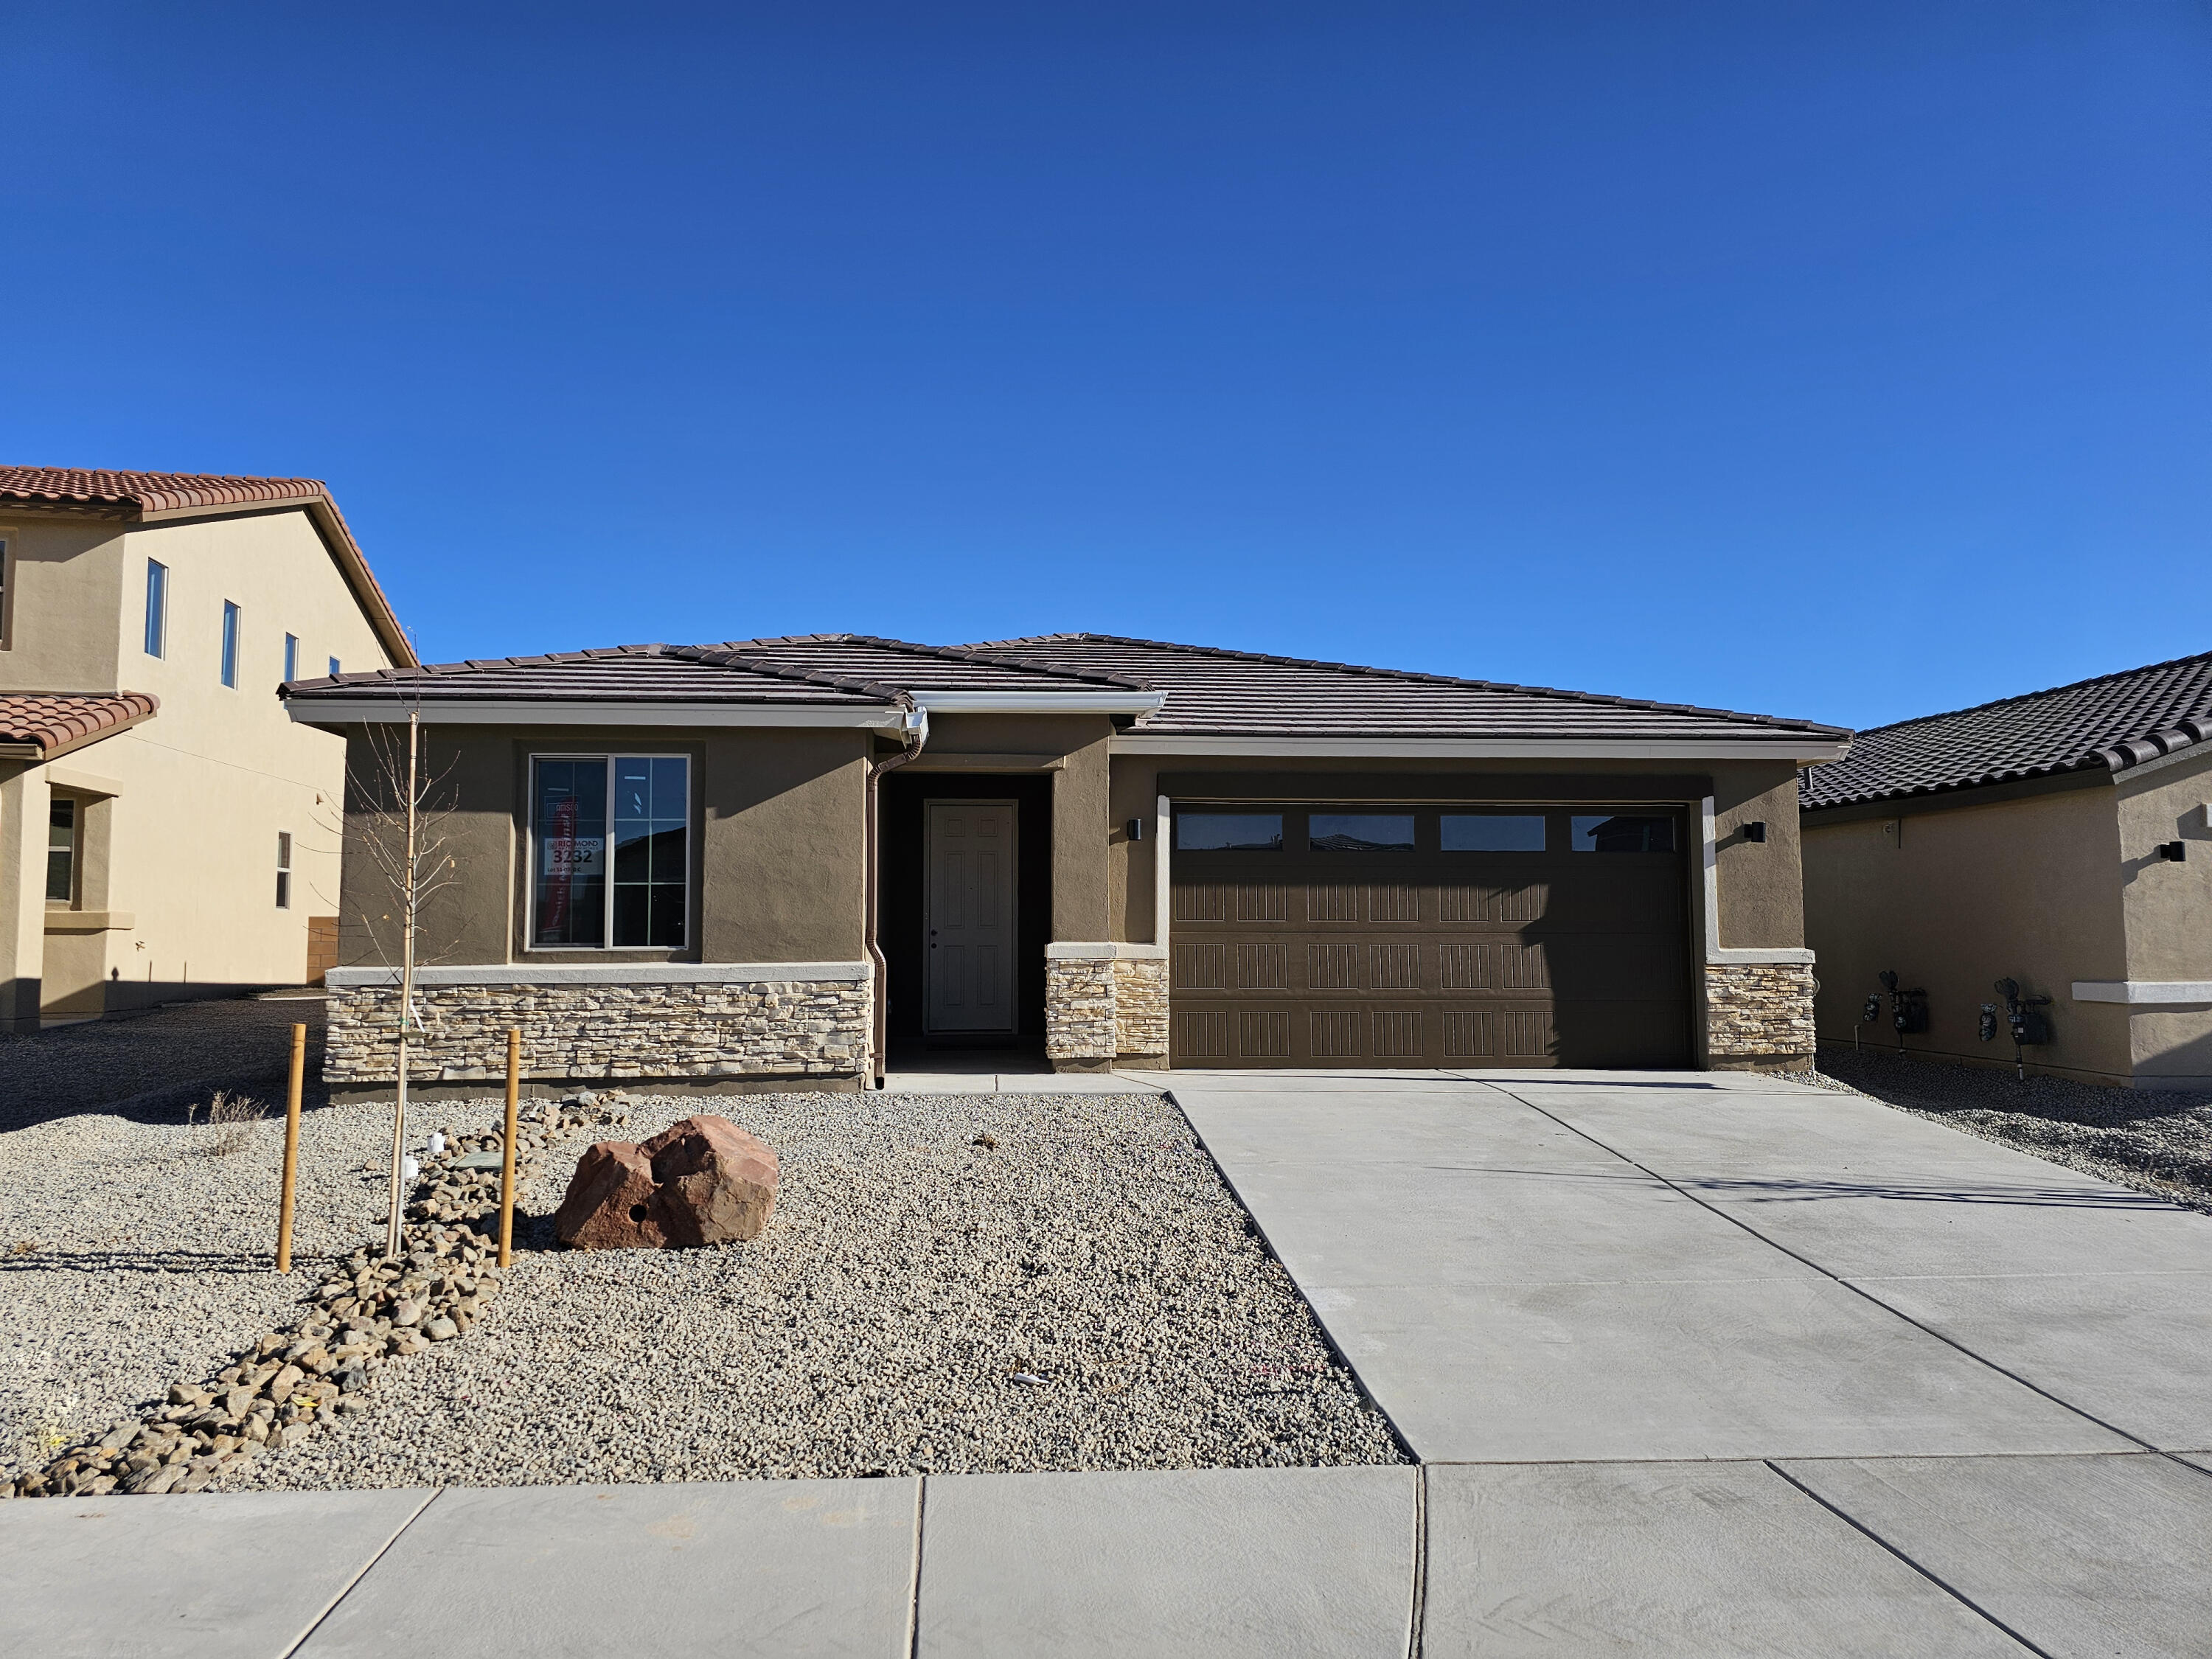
{"points": [[165, 828]]}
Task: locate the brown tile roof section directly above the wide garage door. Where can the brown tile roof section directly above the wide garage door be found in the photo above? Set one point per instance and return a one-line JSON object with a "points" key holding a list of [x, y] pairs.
{"points": [[1242, 693]]}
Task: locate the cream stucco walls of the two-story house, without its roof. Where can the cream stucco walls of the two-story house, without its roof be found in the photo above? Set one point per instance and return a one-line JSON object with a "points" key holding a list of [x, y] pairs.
{"points": [[185, 811]]}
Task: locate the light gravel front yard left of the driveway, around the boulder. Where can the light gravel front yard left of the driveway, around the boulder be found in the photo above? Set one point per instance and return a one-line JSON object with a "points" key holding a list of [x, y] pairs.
{"points": [[948, 1284]]}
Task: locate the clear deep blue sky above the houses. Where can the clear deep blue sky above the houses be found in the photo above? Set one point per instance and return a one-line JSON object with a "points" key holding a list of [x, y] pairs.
{"points": [[1817, 359]]}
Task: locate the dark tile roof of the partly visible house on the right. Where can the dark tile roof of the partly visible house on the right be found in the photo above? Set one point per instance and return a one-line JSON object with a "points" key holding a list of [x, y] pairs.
{"points": [[2103, 724]]}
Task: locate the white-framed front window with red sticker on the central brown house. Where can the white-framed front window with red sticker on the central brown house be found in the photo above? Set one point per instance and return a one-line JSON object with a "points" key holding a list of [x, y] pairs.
{"points": [[612, 851]]}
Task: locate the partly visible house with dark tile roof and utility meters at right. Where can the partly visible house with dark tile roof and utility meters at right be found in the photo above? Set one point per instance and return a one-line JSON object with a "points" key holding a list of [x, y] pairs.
{"points": [[2054, 839]]}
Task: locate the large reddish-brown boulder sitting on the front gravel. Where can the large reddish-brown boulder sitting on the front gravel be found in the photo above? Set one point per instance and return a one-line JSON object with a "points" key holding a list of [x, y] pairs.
{"points": [[693, 1185]]}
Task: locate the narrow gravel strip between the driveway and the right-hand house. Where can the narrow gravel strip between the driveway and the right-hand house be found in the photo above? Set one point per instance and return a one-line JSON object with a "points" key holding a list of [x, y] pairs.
{"points": [[2151, 1140]]}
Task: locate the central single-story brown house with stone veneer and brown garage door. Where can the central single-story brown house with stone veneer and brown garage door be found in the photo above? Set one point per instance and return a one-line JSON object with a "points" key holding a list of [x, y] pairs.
{"points": [[766, 864]]}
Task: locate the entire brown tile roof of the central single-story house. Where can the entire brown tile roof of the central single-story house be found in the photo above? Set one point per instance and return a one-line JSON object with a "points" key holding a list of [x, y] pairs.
{"points": [[1211, 693]]}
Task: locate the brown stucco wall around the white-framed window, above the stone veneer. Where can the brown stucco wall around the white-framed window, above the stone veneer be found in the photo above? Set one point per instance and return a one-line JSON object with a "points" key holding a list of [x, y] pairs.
{"points": [[778, 870]]}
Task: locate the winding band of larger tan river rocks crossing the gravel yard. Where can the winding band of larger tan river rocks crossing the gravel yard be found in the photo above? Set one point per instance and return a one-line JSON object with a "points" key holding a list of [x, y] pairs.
{"points": [[368, 1313]]}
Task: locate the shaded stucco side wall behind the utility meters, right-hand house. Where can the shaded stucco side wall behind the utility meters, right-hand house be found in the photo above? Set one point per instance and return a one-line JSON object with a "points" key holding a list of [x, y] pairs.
{"points": [[1961, 897]]}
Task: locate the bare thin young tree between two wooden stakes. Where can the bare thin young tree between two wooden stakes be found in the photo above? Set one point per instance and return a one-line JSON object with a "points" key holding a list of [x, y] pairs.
{"points": [[404, 835]]}
